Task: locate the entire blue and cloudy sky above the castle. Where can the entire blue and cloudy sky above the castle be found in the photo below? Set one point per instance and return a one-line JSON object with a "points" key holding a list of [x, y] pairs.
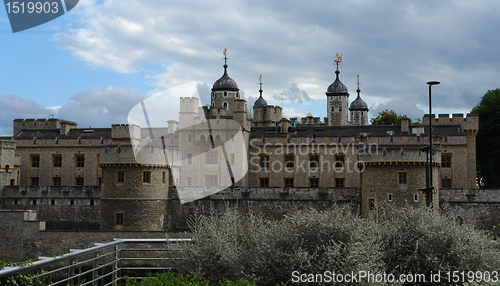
{"points": [[96, 62]]}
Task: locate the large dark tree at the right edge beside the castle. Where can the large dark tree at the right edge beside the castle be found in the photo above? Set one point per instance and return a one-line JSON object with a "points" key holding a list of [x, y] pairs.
{"points": [[487, 139]]}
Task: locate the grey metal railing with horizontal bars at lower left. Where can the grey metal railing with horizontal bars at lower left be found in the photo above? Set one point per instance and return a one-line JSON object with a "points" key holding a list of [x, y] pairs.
{"points": [[104, 264]]}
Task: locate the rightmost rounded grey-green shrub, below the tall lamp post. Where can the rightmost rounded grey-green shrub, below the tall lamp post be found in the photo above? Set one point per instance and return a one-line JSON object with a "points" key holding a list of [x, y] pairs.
{"points": [[420, 240]]}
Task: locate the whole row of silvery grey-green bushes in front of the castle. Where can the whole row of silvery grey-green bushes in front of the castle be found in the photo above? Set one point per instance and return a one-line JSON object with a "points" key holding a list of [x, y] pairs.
{"points": [[408, 240]]}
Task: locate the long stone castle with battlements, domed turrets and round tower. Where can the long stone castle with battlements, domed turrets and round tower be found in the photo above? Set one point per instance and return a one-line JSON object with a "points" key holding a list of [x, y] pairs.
{"points": [[91, 180]]}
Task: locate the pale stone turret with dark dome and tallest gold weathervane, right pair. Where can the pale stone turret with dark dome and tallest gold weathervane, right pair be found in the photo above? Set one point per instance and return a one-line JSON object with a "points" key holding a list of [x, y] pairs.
{"points": [[337, 97]]}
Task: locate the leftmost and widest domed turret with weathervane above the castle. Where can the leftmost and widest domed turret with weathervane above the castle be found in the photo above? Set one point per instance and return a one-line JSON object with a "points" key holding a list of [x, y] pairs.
{"points": [[224, 91]]}
